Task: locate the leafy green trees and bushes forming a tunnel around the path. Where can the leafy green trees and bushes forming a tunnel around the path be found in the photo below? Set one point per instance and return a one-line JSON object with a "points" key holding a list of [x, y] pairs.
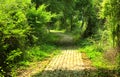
{"points": [[25, 28]]}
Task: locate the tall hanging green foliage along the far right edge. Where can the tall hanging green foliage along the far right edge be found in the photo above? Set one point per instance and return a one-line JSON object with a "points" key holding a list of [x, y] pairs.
{"points": [[111, 13]]}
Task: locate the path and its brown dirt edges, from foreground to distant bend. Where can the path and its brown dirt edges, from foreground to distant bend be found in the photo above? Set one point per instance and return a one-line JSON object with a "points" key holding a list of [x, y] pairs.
{"points": [[69, 63]]}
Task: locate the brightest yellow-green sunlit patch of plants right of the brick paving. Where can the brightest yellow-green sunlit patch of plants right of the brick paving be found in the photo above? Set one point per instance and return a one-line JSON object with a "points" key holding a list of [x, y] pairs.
{"points": [[94, 55]]}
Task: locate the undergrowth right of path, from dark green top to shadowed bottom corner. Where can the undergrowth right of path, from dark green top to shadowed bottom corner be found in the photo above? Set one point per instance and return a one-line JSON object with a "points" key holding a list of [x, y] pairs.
{"points": [[97, 54]]}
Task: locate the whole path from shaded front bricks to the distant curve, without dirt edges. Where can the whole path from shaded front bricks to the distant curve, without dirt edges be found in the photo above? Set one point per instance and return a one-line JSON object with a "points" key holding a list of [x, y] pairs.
{"points": [[68, 63]]}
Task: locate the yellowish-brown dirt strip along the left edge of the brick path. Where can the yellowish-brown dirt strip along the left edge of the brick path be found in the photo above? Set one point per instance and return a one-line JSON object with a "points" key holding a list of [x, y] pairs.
{"points": [[34, 68]]}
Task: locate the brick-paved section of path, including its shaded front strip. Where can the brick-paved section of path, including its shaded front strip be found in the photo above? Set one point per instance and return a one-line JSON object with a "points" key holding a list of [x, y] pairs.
{"points": [[67, 64]]}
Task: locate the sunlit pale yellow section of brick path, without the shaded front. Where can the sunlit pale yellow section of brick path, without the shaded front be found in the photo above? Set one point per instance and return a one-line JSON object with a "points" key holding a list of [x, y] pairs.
{"points": [[68, 59]]}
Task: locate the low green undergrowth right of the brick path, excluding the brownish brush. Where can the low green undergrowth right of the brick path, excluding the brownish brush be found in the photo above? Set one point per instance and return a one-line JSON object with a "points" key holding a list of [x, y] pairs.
{"points": [[95, 53]]}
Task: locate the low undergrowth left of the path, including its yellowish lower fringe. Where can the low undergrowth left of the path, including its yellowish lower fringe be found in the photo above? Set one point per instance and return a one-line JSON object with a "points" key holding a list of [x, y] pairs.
{"points": [[36, 54]]}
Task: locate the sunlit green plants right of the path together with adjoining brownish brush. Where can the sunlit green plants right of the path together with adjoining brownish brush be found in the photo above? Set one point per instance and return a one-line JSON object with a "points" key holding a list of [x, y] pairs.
{"points": [[97, 54]]}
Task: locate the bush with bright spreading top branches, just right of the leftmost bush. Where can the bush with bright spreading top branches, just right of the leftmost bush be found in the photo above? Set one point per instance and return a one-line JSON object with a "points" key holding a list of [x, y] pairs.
{"points": [[38, 19]]}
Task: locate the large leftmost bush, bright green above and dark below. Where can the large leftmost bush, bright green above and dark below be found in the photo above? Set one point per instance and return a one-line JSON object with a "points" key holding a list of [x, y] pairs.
{"points": [[13, 31]]}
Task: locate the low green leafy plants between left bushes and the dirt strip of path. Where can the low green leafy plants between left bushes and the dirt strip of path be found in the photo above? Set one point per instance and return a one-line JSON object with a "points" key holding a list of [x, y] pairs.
{"points": [[38, 53]]}
